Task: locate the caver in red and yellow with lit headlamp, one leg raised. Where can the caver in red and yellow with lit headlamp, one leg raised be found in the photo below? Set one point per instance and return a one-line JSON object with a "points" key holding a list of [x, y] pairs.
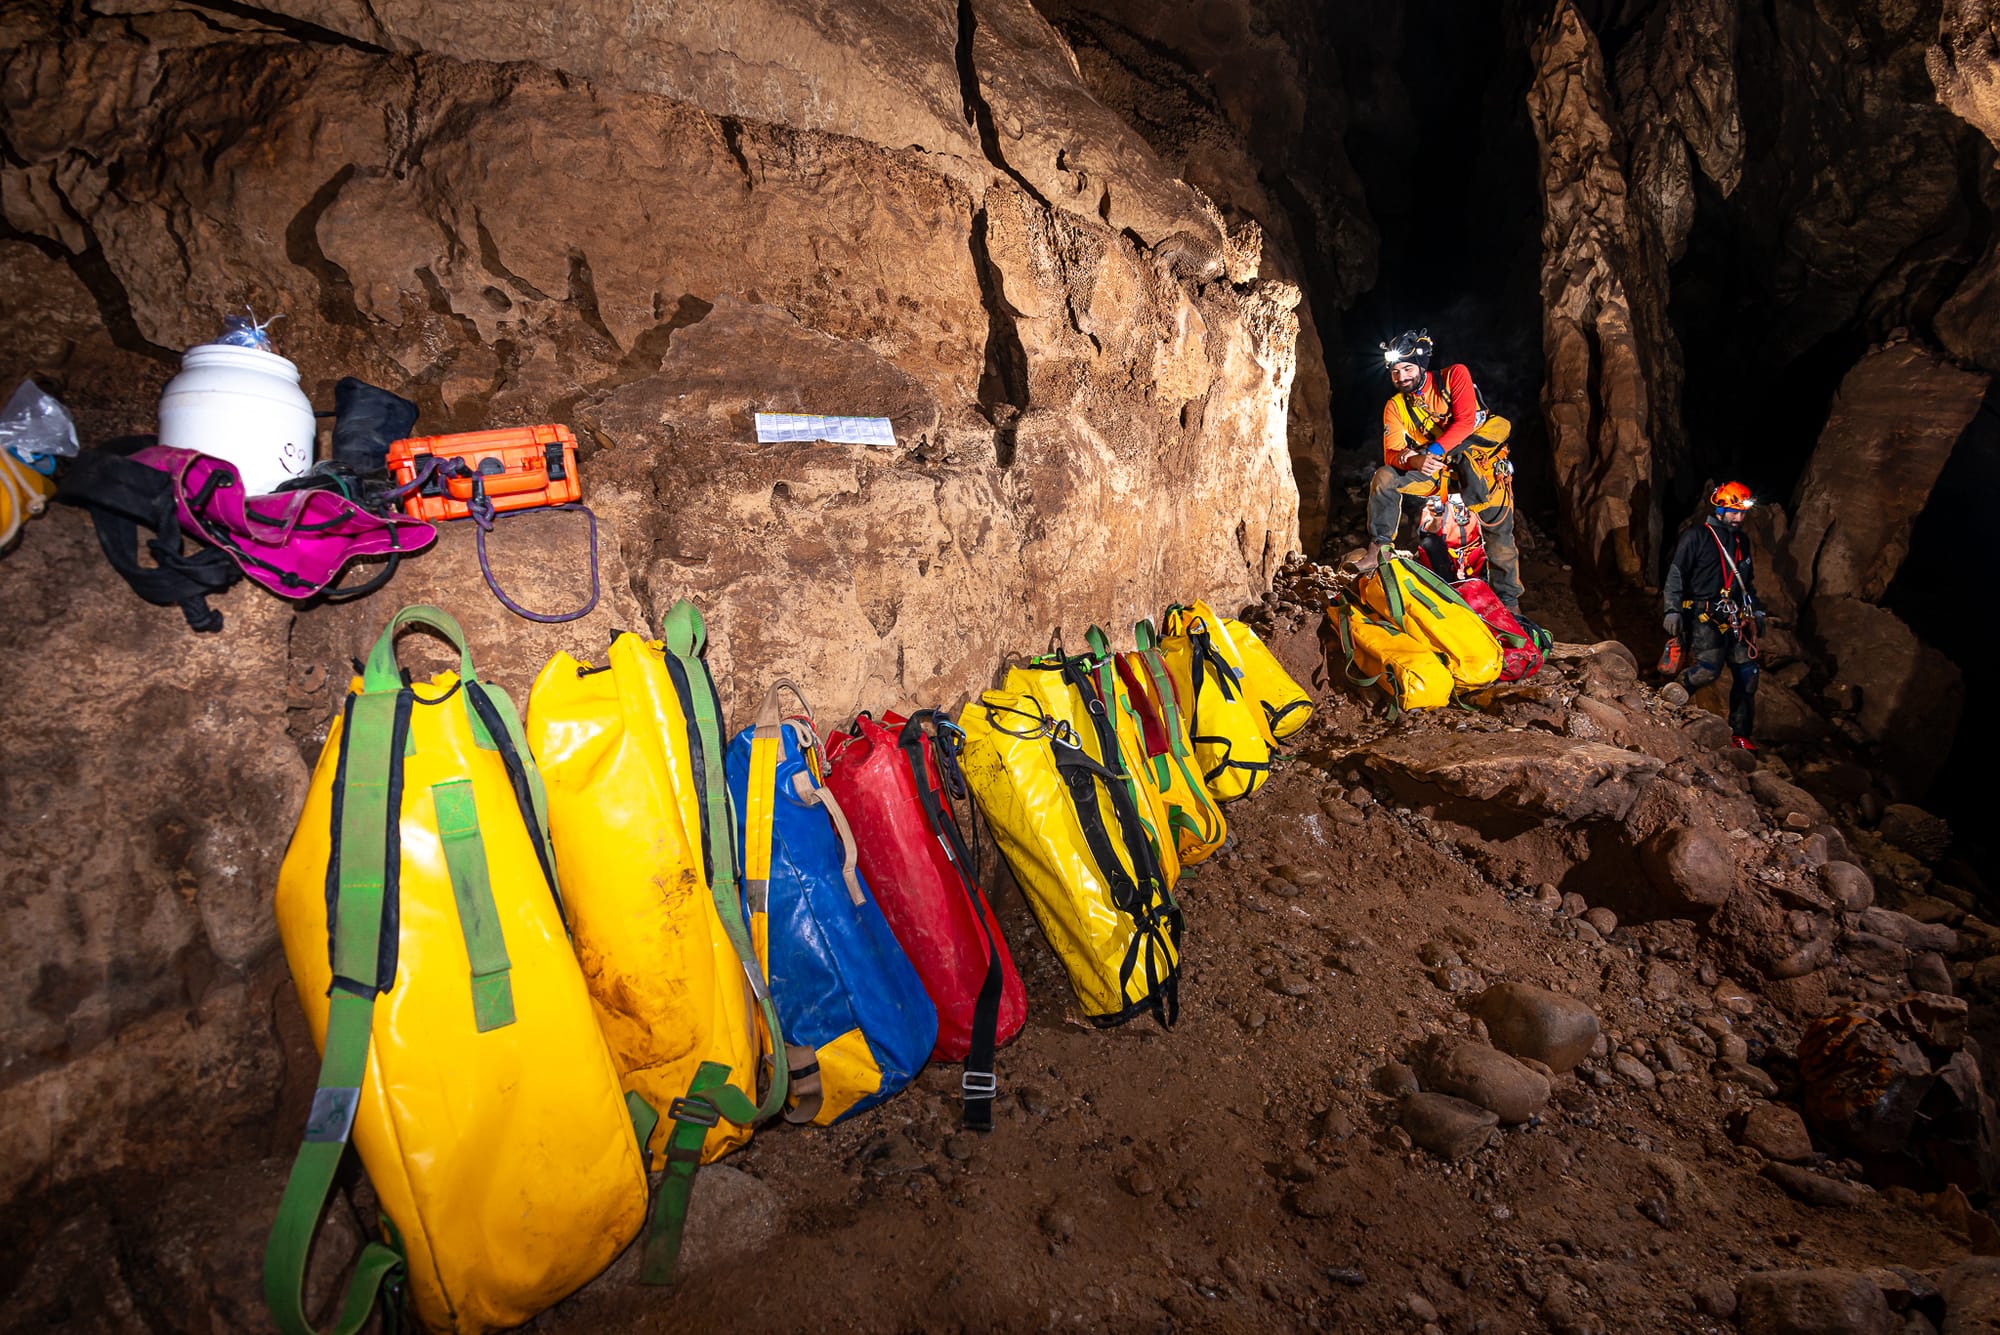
{"points": [[1437, 437]]}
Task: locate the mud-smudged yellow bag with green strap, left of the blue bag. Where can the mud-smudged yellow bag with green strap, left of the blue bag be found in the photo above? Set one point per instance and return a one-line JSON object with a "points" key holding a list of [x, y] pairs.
{"points": [[631, 754]]}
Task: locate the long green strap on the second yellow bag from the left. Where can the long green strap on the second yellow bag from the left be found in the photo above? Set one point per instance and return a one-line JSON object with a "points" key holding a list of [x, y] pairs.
{"points": [[711, 1096]]}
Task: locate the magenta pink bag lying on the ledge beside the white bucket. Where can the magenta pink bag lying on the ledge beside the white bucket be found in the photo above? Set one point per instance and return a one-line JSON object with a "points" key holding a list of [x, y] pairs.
{"points": [[291, 543]]}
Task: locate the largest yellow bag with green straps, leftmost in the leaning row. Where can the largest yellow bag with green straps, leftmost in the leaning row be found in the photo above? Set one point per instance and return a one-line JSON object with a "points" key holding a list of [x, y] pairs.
{"points": [[461, 1052]]}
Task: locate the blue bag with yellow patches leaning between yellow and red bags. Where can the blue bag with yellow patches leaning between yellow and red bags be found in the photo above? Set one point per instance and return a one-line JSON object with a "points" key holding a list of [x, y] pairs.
{"points": [[857, 1022]]}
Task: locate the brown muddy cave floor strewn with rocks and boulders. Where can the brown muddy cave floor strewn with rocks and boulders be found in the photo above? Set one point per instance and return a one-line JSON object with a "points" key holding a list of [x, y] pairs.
{"points": [[1269, 1164]]}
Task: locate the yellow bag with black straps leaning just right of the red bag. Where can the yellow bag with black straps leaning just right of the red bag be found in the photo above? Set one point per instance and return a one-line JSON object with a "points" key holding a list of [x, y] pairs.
{"points": [[1077, 842]]}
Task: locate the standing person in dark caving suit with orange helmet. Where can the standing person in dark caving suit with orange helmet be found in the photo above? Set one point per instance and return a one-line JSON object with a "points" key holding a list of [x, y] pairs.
{"points": [[1713, 609]]}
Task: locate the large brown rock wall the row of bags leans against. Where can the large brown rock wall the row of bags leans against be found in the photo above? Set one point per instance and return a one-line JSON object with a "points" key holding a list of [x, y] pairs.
{"points": [[643, 223]]}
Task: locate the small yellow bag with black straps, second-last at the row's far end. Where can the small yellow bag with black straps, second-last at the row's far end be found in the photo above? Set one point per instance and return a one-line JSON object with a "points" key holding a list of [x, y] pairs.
{"points": [[1227, 728]]}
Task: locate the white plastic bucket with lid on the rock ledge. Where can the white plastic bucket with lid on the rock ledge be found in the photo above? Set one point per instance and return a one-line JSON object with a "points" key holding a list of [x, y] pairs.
{"points": [[241, 405]]}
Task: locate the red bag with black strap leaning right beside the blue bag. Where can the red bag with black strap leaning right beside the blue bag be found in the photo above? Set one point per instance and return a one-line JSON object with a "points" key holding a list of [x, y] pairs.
{"points": [[897, 780]]}
